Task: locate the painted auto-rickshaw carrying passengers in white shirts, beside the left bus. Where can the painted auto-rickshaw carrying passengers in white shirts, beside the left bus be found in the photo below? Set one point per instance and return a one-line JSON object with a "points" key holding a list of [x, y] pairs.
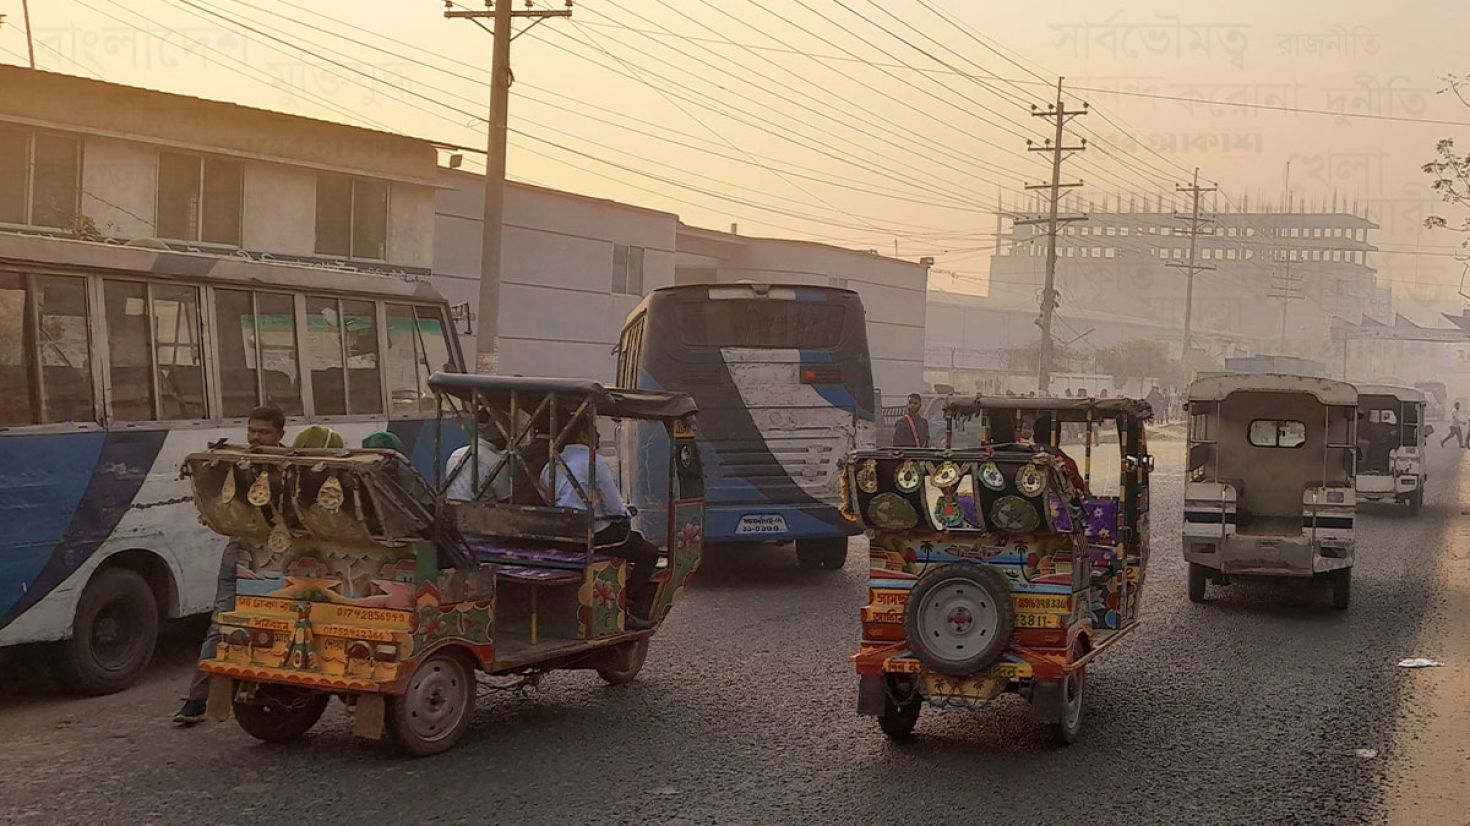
{"points": [[361, 580]]}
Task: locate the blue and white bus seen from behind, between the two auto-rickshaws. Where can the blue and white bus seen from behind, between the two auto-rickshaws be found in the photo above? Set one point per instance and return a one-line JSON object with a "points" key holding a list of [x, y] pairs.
{"points": [[784, 384]]}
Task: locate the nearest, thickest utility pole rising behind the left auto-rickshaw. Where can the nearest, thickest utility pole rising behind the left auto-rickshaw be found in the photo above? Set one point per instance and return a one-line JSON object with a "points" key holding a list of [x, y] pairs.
{"points": [[495, 218]]}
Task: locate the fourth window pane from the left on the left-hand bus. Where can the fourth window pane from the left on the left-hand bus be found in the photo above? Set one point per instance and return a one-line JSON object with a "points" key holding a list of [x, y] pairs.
{"points": [[180, 353]]}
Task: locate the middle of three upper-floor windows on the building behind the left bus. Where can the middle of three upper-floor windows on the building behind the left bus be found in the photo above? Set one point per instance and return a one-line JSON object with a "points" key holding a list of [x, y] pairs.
{"points": [[199, 199]]}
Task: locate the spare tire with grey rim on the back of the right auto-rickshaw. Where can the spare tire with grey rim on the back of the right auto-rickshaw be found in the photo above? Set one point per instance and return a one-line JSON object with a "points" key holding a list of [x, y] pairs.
{"points": [[959, 618]]}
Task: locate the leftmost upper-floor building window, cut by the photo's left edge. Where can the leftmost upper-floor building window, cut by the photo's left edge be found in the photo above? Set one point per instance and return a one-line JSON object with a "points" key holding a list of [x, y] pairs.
{"points": [[40, 179]]}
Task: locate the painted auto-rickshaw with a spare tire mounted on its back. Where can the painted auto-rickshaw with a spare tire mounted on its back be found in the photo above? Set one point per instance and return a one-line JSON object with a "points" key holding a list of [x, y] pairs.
{"points": [[997, 570]]}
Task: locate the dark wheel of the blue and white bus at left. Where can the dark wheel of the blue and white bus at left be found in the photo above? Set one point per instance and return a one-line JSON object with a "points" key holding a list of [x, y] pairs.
{"points": [[114, 633]]}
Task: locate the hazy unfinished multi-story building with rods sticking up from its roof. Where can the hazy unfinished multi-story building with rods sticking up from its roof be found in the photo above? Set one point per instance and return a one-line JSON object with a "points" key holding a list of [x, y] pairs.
{"points": [[1118, 265]]}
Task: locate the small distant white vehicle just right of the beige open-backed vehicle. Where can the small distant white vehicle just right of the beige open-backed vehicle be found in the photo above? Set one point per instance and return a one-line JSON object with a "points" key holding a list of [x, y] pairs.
{"points": [[1393, 434]]}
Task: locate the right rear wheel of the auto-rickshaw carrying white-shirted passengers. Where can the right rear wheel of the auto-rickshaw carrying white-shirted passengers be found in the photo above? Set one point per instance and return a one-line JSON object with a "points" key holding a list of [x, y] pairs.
{"points": [[431, 717]]}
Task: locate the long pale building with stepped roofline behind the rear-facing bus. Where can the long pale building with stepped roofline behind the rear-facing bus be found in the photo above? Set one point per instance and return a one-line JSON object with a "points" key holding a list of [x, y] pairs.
{"points": [[576, 267]]}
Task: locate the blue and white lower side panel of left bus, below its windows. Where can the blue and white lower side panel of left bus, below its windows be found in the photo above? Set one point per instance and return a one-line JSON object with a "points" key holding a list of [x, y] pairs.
{"points": [[76, 499]]}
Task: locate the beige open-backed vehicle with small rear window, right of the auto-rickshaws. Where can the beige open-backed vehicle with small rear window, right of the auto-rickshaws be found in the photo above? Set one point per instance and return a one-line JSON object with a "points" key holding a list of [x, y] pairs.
{"points": [[1269, 487]]}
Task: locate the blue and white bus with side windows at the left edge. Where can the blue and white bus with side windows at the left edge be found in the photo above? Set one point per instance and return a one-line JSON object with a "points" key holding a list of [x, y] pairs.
{"points": [[118, 362]]}
